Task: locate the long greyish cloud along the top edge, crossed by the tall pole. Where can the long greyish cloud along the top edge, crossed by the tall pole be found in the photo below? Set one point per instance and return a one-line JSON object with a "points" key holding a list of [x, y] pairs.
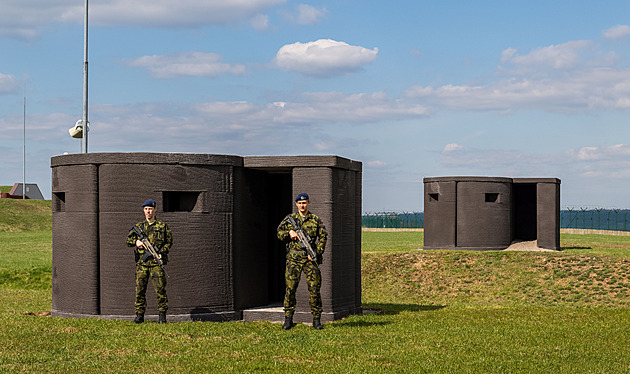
{"points": [[21, 21]]}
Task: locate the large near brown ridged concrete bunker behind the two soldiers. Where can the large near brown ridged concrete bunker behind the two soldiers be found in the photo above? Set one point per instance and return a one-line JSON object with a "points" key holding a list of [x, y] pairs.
{"points": [[223, 210]]}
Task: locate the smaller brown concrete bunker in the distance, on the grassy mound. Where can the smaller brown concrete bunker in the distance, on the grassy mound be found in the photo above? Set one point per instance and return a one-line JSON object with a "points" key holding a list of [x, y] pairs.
{"points": [[489, 213]]}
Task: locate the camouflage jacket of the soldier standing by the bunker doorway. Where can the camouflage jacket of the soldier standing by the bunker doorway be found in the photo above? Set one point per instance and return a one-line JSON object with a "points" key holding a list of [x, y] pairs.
{"points": [[312, 225]]}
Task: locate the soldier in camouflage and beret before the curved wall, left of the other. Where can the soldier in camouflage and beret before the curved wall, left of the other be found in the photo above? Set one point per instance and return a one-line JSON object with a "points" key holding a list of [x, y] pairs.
{"points": [[160, 236]]}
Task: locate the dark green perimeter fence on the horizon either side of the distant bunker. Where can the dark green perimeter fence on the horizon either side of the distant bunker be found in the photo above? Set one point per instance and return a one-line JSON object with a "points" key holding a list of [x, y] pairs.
{"points": [[570, 218]]}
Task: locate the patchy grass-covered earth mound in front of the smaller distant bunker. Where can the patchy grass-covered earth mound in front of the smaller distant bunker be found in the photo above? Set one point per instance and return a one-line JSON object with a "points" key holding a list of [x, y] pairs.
{"points": [[498, 279]]}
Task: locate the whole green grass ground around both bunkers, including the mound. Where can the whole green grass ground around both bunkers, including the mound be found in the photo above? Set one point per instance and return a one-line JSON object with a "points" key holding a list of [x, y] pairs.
{"points": [[425, 312]]}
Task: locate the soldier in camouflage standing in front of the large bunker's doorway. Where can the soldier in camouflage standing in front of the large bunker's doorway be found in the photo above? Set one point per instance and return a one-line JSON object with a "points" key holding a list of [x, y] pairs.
{"points": [[298, 260]]}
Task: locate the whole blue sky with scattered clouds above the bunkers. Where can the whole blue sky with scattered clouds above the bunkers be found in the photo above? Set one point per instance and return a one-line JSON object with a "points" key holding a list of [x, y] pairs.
{"points": [[410, 88]]}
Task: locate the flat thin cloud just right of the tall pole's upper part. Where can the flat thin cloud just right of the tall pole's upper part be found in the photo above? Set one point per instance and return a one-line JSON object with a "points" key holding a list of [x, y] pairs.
{"points": [[186, 64]]}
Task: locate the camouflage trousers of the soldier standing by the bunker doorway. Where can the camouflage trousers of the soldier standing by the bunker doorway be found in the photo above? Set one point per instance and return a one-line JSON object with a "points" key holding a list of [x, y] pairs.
{"points": [[313, 277]]}
